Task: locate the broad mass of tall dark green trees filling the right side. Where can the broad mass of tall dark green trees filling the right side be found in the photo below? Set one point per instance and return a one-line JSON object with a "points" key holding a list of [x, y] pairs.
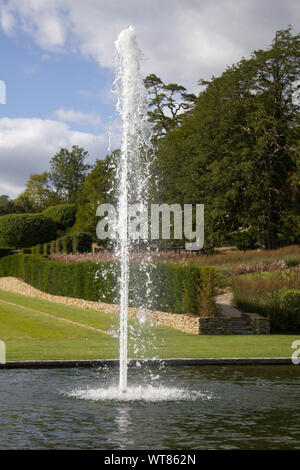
{"points": [[237, 150]]}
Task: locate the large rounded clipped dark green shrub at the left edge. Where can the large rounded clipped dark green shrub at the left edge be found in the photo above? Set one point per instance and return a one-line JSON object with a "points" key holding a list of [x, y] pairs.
{"points": [[26, 230]]}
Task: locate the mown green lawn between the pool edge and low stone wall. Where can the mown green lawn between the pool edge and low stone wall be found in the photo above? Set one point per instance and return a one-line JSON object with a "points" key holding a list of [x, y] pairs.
{"points": [[29, 335]]}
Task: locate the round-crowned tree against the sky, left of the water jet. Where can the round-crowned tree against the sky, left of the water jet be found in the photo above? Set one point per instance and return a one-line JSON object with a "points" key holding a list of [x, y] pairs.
{"points": [[68, 172]]}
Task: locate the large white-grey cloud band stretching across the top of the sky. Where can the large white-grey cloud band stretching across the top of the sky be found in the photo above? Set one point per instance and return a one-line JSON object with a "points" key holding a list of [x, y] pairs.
{"points": [[181, 41]]}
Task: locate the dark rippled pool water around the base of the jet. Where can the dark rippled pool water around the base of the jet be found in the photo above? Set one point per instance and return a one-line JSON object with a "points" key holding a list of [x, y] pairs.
{"points": [[218, 408]]}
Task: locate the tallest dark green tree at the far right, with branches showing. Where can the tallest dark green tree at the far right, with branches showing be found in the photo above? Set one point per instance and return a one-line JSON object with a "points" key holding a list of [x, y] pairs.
{"points": [[274, 129]]}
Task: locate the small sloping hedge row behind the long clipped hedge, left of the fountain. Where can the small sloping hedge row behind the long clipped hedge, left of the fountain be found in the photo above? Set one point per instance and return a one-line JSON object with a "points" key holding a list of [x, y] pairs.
{"points": [[77, 243]]}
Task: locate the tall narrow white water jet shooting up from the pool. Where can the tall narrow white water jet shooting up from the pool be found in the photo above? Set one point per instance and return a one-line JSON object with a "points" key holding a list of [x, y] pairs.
{"points": [[133, 166]]}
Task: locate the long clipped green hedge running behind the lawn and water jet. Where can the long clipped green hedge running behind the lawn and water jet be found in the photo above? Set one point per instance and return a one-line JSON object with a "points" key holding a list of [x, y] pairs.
{"points": [[165, 287]]}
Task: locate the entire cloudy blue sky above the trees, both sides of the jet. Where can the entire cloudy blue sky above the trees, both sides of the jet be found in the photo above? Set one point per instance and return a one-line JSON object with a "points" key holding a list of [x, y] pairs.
{"points": [[57, 63]]}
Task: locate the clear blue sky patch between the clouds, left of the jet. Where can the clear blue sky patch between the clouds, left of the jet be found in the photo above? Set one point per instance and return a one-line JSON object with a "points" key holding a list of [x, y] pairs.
{"points": [[39, 83]]}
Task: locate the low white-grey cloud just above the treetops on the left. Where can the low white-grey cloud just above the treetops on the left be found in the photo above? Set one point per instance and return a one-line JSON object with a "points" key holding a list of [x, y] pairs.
{"points": [[26, 146]]}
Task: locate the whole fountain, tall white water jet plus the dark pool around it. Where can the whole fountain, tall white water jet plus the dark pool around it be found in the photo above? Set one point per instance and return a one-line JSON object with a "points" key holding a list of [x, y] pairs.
{"points": [[234, 407]]}
